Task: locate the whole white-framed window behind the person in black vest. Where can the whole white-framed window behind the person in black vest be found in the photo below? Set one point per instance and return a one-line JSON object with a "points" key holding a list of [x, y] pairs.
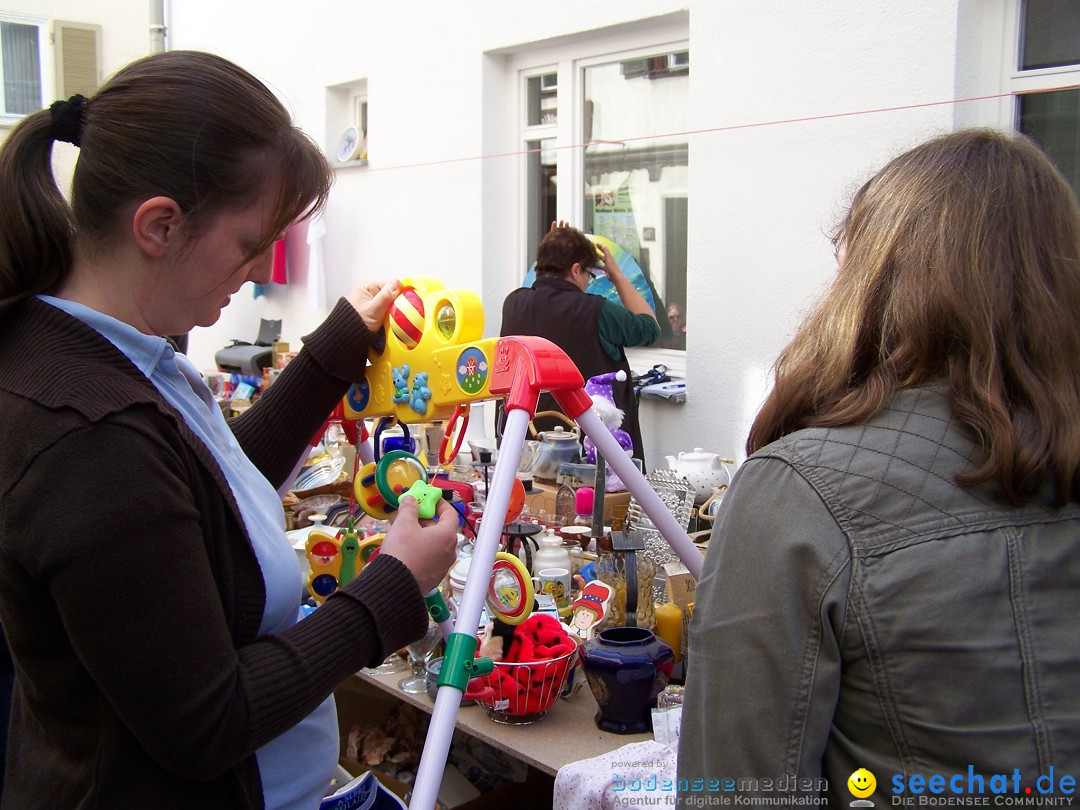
{"points": [[606, 147]]}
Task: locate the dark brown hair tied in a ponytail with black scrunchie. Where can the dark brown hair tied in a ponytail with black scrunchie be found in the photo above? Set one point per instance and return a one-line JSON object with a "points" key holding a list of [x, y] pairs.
{"points": [[184, 125]]}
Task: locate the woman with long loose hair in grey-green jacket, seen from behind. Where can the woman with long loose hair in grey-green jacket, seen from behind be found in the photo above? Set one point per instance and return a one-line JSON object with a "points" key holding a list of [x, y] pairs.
{"points": [[894, 580]]}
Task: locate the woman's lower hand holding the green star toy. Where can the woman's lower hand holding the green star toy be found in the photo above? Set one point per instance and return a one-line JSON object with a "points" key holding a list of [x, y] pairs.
{"points": [[427, 548]]}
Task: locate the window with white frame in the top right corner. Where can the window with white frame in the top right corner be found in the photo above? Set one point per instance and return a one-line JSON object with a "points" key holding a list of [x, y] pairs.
{"points": [[1045, 74]]}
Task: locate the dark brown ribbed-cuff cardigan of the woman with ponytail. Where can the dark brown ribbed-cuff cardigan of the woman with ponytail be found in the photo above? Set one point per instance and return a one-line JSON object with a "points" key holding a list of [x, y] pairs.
{"points": [[130, 593]]}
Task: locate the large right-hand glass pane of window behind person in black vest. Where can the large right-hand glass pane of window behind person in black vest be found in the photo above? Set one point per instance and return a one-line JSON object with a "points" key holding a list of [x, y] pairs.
{"points": [[636, 117]]}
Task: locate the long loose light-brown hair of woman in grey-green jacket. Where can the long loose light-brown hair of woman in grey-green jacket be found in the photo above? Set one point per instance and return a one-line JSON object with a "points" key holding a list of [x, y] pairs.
{"points": [[962, 268]]}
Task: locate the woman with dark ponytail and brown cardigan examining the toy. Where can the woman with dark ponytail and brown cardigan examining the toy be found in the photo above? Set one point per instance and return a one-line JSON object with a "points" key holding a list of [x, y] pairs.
{"points": [[148, 593]]}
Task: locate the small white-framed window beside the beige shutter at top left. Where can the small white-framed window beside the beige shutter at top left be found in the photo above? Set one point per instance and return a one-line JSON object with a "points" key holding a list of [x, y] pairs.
{"points": [[23, 51]]}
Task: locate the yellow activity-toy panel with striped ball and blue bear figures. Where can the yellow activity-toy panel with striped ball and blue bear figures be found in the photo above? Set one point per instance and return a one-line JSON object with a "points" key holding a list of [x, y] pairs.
{"points": [[435, 358]]}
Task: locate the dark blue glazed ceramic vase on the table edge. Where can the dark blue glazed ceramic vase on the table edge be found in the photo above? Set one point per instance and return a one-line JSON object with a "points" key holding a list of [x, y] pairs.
{"points": [[627, 669]]}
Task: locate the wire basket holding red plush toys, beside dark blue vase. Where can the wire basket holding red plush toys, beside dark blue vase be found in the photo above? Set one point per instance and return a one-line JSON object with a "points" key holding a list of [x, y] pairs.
{"points": [[518, 694]]}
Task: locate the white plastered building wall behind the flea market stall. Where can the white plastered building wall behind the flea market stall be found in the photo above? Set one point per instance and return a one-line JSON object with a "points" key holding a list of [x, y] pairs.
{"points": [[772, 168]]}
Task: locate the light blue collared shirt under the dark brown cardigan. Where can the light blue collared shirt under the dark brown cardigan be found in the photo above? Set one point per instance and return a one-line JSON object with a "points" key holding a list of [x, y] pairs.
{"points": [[296, 767]]}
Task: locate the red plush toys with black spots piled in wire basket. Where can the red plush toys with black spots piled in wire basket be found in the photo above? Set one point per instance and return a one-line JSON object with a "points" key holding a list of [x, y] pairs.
{"points": [[529, 690]]}
